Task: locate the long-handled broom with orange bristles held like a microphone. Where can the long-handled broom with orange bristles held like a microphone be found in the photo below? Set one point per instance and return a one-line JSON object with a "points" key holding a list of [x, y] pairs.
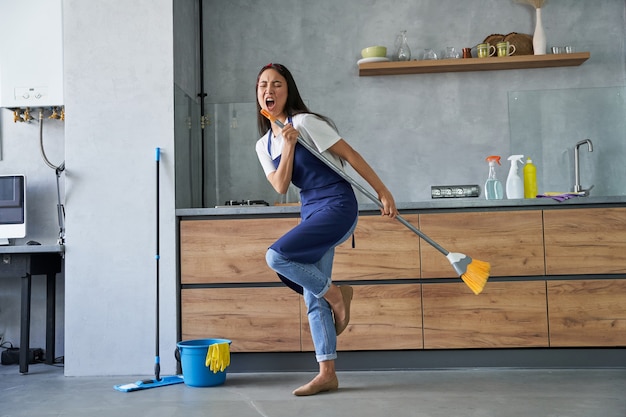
{"points": [[474, 273]]}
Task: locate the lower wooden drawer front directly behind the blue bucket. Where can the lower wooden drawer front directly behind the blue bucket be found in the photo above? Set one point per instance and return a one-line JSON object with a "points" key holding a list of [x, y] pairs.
{"points": [[255, 319]]}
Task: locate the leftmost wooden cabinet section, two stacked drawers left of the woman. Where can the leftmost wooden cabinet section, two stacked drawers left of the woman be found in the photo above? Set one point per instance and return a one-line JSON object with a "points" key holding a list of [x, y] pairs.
{"points": [[232, 251]]}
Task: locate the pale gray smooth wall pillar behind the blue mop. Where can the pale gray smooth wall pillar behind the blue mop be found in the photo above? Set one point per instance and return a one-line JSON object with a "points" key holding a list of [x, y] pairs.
{"points": [[119, 99]]}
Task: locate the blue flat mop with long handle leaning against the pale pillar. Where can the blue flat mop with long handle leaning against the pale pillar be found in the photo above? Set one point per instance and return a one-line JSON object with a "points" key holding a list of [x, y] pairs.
{"points": [[158, 380]]}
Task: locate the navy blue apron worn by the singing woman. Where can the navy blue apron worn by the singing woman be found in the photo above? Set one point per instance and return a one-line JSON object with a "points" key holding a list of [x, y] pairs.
{"points": [[329, 209]]}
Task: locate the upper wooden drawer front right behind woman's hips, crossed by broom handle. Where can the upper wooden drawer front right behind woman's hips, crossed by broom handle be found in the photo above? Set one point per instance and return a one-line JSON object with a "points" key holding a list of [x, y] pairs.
{"points": [[383, 249]]}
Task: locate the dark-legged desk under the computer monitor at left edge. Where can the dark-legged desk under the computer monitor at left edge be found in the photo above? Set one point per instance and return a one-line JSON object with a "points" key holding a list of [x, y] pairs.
{"points": [[25, 261]]}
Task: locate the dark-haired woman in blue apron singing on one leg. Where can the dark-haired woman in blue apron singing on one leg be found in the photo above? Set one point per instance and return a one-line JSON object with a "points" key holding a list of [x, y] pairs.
{"points": [[303, 257]]}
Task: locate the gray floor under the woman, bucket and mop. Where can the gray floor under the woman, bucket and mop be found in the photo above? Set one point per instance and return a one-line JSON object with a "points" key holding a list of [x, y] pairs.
{"points": [[45, 391]]}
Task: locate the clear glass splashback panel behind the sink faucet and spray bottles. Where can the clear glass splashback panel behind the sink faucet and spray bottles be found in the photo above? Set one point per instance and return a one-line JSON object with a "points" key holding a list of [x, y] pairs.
{"points": [[546, 125]]}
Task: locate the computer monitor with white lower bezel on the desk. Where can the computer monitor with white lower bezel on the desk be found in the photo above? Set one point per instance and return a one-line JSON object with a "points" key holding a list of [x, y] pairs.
{"points": [[12, 207]]}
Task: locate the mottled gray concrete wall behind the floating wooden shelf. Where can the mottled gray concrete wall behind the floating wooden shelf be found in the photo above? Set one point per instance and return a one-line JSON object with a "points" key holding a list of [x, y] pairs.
{"points": [[417, 130]]}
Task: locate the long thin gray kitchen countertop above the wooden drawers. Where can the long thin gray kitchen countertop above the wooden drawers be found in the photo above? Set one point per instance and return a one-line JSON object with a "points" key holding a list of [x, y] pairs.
{"points": [[440, 204]]}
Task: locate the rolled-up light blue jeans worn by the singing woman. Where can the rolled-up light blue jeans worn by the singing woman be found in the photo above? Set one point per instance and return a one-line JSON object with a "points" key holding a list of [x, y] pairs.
{"points": [[315, 279]]}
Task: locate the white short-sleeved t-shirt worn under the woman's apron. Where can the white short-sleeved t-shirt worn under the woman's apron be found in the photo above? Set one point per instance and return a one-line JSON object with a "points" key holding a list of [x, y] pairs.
{"points": [[313, 130]]}
